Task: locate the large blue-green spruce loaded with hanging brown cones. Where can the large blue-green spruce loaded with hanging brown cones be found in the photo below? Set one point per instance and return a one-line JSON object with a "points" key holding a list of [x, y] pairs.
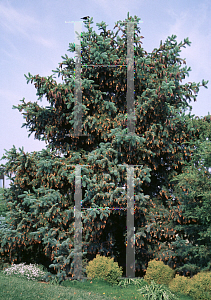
{"points": [[42, 194]]}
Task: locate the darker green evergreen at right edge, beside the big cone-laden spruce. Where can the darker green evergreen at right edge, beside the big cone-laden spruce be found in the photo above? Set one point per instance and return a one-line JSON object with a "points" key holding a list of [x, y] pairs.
{"points": [[193, 187]]}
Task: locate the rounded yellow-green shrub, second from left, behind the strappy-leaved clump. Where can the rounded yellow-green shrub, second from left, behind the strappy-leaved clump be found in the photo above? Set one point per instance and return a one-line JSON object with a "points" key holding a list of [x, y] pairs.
{"points": [[159, 272]]}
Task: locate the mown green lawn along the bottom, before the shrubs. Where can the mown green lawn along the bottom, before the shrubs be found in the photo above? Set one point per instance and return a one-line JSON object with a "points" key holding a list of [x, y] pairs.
{"points": [[14, 287]]}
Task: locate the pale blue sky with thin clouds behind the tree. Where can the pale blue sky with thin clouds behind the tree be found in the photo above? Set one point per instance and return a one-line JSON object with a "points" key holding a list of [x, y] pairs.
{"points": [[34, 36]]}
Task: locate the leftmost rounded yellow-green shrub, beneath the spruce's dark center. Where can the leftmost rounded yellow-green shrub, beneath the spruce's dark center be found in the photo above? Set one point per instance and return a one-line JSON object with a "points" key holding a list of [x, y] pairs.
{"points": [[104, 268]]}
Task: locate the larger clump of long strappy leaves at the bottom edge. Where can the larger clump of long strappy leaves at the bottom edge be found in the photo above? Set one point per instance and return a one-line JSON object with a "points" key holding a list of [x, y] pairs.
{"points": [[157, 292]]}
